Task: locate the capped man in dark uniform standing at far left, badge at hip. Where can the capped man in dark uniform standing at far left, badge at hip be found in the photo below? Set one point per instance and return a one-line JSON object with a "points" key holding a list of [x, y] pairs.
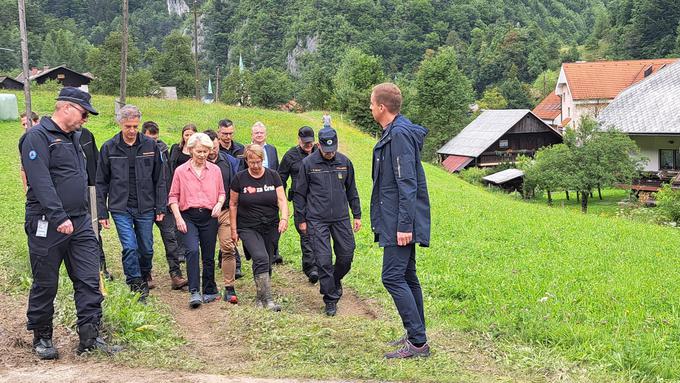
{"points": [[58, 224]]}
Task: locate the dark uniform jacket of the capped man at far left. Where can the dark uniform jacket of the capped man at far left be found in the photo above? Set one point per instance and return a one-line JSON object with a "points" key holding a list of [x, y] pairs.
{"points": [[55, 171]]}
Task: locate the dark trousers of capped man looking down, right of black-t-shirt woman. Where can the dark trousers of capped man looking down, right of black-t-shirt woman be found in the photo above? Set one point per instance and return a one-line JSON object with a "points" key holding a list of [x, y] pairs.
{"points": [[330, 276]]}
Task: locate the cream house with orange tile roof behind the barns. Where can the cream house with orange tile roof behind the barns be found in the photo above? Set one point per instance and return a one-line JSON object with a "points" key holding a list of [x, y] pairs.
{"points": [[586, 88]]}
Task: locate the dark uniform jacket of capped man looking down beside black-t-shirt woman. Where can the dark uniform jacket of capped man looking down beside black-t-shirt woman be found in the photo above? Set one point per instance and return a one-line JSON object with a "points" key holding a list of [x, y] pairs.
{"points": [[324, 189]]}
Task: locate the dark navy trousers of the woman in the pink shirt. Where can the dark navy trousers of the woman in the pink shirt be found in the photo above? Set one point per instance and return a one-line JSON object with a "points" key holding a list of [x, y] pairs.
{"points": [[201, 231]]}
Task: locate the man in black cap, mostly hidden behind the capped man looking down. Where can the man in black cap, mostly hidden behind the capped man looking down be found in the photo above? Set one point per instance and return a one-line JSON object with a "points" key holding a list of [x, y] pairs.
{"points": [[289, 168]]}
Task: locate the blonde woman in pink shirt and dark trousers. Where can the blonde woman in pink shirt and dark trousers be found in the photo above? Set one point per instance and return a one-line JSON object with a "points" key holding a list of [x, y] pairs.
{"points": [[196, 198]]}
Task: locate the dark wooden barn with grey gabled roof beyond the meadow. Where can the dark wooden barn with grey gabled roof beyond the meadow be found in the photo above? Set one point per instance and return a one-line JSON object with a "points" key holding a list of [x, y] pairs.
{"points": [[495, 137]]}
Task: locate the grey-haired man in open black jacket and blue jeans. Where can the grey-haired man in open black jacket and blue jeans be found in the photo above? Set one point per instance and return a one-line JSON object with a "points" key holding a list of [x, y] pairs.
{"points": [[130, 185]]}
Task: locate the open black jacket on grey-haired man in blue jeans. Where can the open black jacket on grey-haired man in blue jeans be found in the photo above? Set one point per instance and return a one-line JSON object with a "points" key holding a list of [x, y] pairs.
{"points": [[112, 177]]}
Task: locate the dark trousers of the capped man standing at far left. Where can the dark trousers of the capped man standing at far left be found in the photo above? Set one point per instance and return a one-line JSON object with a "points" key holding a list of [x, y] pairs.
{"points": [[80, 253]]}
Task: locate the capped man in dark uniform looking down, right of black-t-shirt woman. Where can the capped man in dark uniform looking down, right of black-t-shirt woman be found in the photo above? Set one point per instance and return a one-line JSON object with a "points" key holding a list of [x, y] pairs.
{"points": [[324, 188]]}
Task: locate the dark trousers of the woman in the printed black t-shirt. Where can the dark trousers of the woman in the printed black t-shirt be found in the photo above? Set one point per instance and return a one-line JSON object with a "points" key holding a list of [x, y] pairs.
{"points": [[260, 243]]}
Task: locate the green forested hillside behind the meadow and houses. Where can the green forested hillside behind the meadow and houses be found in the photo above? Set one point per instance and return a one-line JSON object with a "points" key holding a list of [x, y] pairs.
{"points": [[326, 54]]}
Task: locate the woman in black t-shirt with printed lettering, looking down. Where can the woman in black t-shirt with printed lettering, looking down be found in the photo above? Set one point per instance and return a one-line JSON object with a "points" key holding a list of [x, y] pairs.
{"points": [[256, 201]]}
